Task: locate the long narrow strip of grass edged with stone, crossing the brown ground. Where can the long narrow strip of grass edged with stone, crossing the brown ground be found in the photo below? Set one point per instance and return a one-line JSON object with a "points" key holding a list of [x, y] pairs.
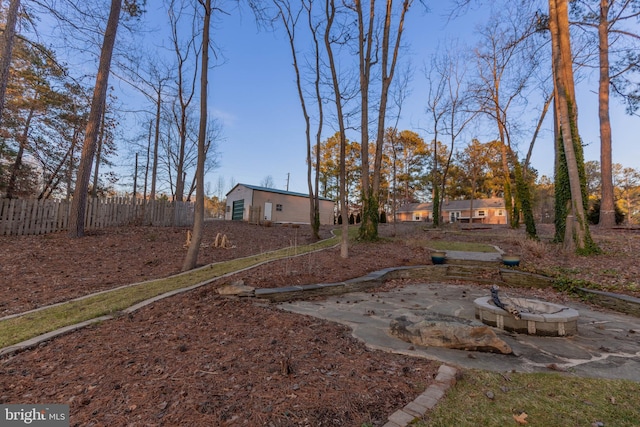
{"points": [[27, 326]]}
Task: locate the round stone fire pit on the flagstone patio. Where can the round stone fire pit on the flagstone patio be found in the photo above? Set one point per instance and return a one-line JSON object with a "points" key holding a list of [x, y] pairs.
{"points": [[537, 317]]}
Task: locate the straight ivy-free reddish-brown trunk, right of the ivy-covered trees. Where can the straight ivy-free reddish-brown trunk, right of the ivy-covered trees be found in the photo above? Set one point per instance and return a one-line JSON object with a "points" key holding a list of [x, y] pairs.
{"points": [[607, 202]]}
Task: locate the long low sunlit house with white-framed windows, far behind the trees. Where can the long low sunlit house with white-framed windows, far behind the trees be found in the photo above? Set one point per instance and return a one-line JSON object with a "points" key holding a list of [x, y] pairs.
{"points": [[485, 211]]}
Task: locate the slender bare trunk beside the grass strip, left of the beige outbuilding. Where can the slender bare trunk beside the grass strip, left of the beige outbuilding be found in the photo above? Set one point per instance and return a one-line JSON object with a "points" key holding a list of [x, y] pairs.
{"points": [[198, 220]]}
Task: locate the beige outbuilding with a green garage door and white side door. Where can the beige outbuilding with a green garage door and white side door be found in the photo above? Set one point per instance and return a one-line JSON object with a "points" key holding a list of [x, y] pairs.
{"points": [[259, 204]]}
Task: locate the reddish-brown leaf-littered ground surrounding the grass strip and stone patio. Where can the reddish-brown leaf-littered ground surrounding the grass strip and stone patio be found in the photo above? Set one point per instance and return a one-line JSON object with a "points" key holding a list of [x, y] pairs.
{"points": [[198, 359]]}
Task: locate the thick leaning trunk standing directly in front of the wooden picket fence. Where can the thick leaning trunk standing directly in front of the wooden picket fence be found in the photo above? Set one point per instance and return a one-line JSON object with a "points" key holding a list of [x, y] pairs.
{"points": [[78, 205]]}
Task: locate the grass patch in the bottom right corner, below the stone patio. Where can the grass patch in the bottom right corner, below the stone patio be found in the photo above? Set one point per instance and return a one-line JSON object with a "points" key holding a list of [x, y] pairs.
{"points": [[492, 399]]}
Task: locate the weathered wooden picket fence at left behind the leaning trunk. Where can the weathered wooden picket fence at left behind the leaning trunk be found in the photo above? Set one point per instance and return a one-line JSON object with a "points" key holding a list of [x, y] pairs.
{"points": [[29, 216]]}
